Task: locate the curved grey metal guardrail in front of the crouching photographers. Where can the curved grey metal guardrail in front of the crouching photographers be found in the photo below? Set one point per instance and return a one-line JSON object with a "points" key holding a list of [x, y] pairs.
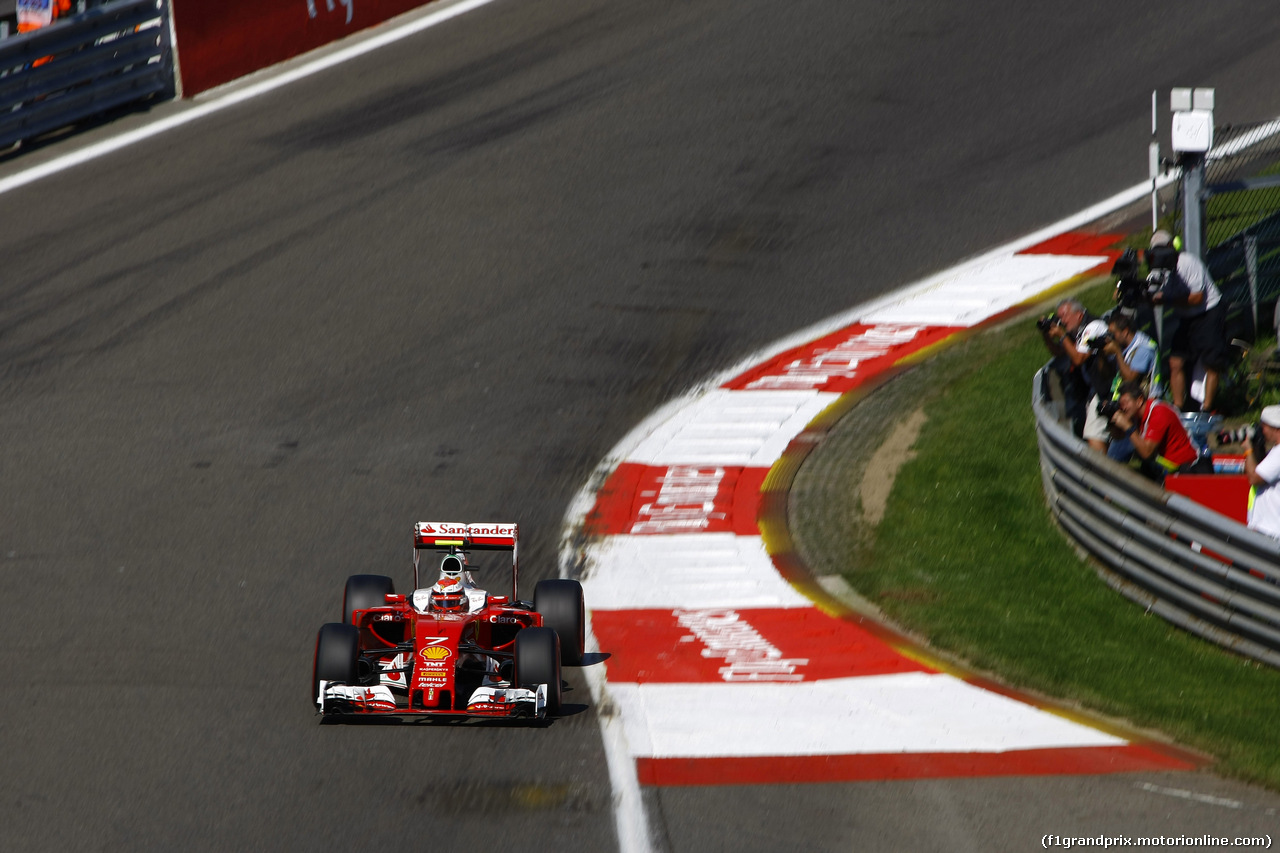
{"points": [[1197, 569]]}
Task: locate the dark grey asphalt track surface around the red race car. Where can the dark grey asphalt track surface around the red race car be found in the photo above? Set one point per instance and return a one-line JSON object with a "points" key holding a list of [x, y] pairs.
{"points": [[239, 362]]}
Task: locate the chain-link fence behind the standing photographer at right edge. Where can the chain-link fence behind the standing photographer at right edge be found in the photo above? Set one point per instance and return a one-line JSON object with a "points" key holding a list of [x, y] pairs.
{"points": [[1242, 223]]}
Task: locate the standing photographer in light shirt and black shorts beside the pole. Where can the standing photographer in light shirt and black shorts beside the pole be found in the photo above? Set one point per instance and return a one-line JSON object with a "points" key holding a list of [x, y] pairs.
{"points": [[1183, 282]]}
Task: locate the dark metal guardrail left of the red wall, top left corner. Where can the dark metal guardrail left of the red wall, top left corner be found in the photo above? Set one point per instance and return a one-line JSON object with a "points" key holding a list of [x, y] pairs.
{"points": [[83, 66]]}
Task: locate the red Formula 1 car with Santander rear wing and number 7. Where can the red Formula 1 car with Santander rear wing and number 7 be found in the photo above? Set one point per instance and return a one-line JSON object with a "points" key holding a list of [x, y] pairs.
{"points": [[450, 649]]}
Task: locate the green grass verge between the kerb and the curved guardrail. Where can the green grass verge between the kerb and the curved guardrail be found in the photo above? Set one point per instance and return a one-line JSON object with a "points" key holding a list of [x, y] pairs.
{"points": [[970, 558]]}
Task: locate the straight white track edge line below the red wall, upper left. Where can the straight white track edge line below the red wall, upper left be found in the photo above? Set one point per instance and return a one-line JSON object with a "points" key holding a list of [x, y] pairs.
{"points": [[241, 95]]}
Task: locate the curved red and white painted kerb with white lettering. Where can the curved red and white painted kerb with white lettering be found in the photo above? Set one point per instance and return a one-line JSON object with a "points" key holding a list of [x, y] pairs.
{"points": [[724, 672]]}
